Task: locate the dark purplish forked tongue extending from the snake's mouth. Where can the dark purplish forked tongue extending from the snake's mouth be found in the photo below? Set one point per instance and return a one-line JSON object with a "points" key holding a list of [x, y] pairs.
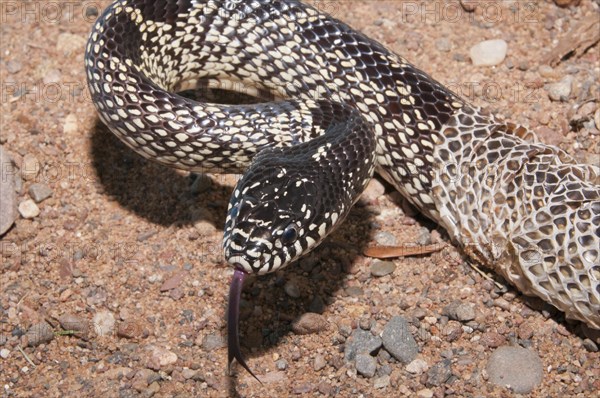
{"points": [[233, 320]]}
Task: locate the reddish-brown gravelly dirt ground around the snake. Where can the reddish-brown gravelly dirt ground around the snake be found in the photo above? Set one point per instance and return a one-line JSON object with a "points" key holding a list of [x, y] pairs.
{"points": [[127, 253]]}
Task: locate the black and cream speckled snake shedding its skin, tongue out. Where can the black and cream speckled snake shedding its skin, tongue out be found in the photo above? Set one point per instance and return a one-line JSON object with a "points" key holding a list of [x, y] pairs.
{"points": [[333, 108]]}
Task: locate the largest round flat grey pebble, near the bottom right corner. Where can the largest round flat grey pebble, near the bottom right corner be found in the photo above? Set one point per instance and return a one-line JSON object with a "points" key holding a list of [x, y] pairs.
{"points": [[515, 367]]}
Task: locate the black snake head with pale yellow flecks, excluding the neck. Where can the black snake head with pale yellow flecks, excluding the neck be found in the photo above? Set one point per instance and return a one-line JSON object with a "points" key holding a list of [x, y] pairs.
{"points": [[271, 219]]}
